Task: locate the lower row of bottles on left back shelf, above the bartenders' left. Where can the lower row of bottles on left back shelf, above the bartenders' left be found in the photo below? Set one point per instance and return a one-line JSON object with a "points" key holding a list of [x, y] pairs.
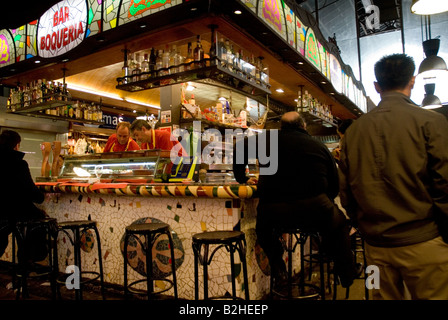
{"points": [[78, 110]]}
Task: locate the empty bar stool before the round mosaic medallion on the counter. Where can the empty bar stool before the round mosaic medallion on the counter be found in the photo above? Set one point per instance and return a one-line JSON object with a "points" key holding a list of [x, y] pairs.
{"points": [[151, 232]]}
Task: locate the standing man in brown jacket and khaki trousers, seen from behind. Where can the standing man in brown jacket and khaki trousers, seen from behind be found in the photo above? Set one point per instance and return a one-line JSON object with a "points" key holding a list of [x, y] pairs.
{"points": [[394, 178]]}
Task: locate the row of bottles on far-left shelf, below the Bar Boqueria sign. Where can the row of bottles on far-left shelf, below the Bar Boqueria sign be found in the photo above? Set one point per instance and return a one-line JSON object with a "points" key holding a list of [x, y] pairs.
{"points": [[37, 92]]}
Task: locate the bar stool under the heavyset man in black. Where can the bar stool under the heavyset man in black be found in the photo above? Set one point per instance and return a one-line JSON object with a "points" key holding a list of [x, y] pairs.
{"points": [[299, 237]]}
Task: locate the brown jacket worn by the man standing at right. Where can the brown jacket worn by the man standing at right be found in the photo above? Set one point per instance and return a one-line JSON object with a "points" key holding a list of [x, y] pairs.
{"points": [[391, 171]]}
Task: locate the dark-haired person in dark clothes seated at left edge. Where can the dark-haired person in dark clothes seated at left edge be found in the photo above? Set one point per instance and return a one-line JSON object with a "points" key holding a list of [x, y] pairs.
{"points": [[18, 193]]}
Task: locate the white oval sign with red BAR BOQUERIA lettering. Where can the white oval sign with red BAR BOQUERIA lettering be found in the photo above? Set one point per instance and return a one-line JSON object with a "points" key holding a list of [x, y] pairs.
{"points": [[62, 28]]}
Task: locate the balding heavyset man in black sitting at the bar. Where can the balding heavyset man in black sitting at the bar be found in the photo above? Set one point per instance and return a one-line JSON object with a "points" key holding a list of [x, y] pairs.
{"points": [[300, 194]]}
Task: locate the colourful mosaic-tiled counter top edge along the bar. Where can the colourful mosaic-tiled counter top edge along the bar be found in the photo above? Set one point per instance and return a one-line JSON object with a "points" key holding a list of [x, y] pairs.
{"points": [[198, 190]]}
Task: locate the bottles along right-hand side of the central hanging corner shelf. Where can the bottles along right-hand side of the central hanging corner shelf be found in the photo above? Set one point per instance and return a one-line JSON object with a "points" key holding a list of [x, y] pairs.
{"points": [[237, 61]]}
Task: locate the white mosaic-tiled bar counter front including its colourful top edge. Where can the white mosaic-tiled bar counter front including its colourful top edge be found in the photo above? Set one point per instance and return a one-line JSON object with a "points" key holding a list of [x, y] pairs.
{"points": [[188, 209]]}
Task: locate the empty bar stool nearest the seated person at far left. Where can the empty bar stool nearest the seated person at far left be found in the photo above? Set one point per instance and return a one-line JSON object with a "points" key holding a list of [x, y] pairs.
{"points": [[77, 228]]}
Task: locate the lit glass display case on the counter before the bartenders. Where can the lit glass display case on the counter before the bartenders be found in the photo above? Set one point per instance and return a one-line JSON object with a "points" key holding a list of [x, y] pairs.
{"points": [[117, 166]]}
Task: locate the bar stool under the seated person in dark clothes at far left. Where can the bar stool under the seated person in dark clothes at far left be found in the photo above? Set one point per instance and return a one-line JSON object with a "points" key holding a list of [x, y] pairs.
{"points": [[25, 268]]}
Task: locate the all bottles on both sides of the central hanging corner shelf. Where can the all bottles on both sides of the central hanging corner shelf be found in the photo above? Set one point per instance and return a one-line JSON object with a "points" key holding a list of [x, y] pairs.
{"points": [[173, 59]]}
